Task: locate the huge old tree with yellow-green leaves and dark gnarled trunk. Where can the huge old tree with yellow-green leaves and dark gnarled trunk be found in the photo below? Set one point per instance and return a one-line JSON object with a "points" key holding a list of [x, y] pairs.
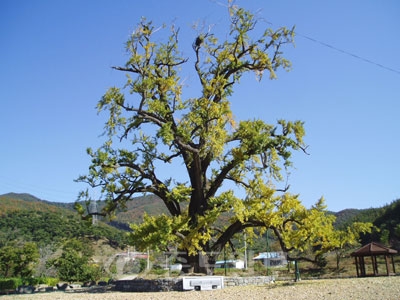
{"points": [[217, 176]]}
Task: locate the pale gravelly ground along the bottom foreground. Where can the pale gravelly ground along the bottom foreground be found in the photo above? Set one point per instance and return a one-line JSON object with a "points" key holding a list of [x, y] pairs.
{"points": [[382, 288]]}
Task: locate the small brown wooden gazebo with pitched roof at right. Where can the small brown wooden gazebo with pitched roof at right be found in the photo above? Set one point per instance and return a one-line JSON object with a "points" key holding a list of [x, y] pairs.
{"points": [[373, 250]]}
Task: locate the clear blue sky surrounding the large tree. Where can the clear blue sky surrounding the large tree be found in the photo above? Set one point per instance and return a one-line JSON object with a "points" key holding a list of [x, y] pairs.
{"points": [[56, 59]]}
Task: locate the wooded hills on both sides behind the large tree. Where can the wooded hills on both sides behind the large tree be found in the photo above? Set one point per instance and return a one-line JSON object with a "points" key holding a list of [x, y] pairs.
{"points": [[27, 217]]}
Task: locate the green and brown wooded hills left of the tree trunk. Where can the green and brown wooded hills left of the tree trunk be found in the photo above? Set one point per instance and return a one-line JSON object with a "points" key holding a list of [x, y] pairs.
{"points": [[27, 218]]}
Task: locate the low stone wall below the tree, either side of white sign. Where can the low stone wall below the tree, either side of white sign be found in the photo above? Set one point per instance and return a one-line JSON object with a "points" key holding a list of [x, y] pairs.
{"points": [[175, 284]]}
